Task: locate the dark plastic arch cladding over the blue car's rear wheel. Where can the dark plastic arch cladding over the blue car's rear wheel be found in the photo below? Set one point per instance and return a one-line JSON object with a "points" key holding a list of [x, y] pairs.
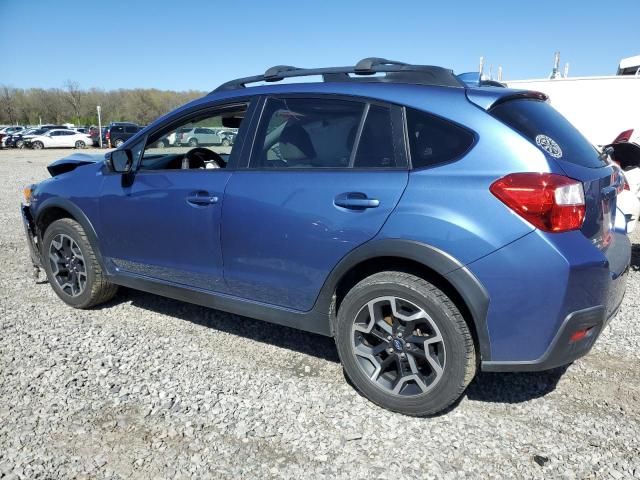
{"points": [[425, 261]]}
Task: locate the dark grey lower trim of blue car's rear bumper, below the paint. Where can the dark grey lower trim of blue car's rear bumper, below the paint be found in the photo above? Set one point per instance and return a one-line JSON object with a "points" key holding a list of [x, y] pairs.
{"points": [[562, 350]]}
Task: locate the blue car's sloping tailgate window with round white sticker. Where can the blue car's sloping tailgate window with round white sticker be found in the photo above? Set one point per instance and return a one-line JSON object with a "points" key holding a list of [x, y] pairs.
{"points": [[548, 130]]}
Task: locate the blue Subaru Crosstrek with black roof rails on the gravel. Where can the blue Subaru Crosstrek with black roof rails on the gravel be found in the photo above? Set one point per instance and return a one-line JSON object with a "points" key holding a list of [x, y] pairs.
{"points": [[432, 228]]}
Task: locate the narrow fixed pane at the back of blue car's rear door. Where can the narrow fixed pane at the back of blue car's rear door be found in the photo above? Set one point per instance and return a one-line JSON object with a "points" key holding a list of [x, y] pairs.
{"points": [[377, 148]]}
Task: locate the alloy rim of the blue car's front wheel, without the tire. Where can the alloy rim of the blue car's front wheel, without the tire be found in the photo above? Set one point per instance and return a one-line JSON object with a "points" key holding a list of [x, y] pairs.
{"points": [[67, 265]]}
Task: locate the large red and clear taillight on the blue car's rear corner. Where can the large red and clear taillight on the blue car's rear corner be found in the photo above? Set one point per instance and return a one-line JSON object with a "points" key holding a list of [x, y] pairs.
{"points": [[550, 202]]}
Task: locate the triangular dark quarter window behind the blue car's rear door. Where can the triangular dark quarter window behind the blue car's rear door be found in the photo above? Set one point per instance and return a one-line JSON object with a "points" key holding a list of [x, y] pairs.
{"points": [[433, 140]]}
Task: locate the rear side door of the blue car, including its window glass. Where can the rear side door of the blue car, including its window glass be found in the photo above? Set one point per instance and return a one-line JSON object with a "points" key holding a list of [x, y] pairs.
{"points": [[323, 176]]}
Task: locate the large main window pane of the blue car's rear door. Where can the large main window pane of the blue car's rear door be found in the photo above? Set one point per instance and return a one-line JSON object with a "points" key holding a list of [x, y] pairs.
{"points": [[306, 133]]}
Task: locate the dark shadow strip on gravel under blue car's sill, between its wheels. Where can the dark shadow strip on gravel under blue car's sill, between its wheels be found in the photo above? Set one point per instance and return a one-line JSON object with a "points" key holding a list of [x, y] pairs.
{"points": [[280, 336]]}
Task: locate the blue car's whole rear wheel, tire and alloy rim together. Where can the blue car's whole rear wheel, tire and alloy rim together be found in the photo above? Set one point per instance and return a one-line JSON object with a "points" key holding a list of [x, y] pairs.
{"points": [[393, 371]]}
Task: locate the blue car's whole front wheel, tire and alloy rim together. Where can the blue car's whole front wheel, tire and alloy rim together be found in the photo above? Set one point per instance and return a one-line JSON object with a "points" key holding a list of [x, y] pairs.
{"points": [[59, 239]]}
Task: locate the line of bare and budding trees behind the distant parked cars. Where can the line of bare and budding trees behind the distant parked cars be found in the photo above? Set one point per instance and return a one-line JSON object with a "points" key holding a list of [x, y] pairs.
{"points": [[71, 104]]}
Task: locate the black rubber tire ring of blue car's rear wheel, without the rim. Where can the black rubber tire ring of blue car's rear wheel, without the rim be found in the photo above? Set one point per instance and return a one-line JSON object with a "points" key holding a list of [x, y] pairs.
{"points": [[446, 390]]}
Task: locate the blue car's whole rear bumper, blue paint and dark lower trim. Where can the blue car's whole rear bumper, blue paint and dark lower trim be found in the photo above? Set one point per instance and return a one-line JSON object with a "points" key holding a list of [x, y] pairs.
{"points": [[541, 288]]}
